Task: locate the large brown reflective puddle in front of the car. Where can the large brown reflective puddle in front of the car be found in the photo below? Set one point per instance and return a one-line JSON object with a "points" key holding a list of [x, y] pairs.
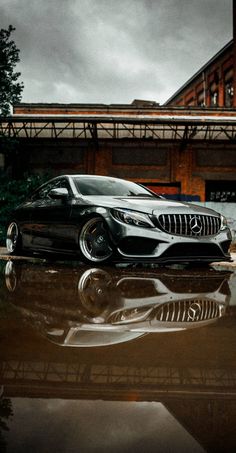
{"points": [[117, 359]]}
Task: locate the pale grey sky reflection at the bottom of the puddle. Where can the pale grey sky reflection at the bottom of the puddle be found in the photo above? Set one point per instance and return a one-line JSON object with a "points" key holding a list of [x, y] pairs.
{"points": [[67, 426]]}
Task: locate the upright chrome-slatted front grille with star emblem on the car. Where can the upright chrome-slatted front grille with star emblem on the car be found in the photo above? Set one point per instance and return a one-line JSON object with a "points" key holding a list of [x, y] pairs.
{"points": [[190, 224]]}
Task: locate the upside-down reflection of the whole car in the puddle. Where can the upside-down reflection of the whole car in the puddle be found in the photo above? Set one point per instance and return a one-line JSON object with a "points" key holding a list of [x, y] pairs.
{"points": [[95, 307]]}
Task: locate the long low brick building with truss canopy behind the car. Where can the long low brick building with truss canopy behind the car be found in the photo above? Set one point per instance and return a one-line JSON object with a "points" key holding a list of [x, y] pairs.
{"points": [[183, 152]]}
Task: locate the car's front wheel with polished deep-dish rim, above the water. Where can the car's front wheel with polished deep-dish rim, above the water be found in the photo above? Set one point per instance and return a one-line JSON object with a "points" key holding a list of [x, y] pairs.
{"points": [[94, 241]]}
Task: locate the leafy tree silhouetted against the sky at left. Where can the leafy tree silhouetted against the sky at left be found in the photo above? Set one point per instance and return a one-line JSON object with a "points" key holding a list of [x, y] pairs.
{"points": [[10, 88]]}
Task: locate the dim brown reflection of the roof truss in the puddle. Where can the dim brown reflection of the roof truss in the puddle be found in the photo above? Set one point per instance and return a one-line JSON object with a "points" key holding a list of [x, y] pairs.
{"points": [[72, 380]]}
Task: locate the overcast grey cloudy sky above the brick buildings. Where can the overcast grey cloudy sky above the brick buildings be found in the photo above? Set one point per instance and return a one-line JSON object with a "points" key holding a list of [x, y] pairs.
{"points": [[113, 51]]}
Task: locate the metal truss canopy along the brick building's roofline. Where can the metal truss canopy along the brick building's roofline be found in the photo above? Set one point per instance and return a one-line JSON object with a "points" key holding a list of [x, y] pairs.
{"points": [[127, 126]]}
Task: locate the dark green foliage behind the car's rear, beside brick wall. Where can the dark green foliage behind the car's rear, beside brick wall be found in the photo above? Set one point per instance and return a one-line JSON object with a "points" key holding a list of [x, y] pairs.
{"points": [[14, 192]]}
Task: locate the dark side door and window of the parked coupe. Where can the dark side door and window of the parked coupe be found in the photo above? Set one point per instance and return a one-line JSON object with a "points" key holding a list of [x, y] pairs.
{"points": [[50, 218]]}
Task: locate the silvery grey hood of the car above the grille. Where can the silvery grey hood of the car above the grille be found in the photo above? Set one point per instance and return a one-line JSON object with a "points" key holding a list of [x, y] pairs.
{"points": [[149, 205]]}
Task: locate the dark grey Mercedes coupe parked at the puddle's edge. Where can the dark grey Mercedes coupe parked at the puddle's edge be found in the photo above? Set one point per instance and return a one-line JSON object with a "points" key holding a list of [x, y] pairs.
{"points": [[103, 218]]}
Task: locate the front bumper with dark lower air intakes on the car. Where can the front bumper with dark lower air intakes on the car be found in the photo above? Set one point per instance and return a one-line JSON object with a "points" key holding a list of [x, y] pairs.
{"points": [[151, 244]]}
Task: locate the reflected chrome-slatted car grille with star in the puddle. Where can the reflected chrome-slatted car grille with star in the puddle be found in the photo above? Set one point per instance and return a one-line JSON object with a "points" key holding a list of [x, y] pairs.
{"points": [[188, 311]]}
